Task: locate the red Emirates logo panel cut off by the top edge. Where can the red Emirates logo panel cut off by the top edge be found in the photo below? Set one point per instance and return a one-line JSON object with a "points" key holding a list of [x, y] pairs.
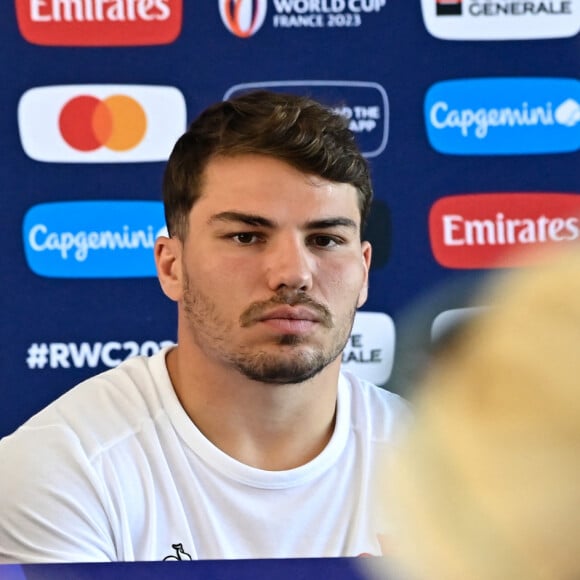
{"points": [[99, 23]]}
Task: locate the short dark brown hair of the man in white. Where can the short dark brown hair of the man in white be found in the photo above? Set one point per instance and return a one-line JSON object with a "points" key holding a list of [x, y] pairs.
{"points": [[298, 130]]}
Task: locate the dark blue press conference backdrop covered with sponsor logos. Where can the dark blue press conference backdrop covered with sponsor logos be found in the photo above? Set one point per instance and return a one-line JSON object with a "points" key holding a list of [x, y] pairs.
{"points": [[468, 111]]}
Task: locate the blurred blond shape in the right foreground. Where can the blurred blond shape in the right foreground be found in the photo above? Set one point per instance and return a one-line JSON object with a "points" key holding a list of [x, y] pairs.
{"points": [[486, 483]]}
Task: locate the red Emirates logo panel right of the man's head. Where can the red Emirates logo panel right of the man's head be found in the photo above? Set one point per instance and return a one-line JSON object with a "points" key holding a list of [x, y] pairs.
{"points": [[501, 230]]}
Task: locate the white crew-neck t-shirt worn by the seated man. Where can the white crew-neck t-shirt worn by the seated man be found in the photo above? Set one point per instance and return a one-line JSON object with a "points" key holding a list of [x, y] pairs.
{"points": [[115, 470]]}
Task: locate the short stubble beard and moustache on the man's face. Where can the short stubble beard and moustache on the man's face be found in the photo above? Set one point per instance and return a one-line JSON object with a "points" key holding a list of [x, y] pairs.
{"points": [[291, 363]]}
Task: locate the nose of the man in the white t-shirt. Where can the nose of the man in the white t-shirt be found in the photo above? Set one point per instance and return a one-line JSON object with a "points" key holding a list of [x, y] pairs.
{"points": [[290, 264]]}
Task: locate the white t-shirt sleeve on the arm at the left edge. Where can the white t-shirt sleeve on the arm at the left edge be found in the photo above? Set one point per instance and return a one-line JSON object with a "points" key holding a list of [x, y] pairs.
{"points": [[53, 506]]}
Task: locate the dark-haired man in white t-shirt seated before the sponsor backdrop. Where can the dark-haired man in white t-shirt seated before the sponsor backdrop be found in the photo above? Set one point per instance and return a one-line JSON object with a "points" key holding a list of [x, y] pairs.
{"points": [[244, 440]]}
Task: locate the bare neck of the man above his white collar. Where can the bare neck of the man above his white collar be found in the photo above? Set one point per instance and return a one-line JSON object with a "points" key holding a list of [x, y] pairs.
{"points": [[269, 426]]}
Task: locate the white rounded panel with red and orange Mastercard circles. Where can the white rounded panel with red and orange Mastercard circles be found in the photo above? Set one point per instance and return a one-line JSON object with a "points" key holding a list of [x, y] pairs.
{"points": [[100, 123]]}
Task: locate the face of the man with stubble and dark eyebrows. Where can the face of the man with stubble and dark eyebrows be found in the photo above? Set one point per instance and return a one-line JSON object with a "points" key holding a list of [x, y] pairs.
{"points": [[273, 269]]}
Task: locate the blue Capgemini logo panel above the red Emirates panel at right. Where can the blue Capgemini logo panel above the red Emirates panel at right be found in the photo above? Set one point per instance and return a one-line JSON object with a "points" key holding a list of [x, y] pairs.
{"points": [[504, 116]]}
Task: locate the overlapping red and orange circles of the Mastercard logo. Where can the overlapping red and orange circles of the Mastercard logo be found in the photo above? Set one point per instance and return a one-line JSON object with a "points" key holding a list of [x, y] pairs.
{"points": [[87, 123]]}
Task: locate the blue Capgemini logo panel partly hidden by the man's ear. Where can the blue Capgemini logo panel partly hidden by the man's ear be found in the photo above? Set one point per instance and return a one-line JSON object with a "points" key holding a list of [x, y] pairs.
{"points": [[93, 239]]}
